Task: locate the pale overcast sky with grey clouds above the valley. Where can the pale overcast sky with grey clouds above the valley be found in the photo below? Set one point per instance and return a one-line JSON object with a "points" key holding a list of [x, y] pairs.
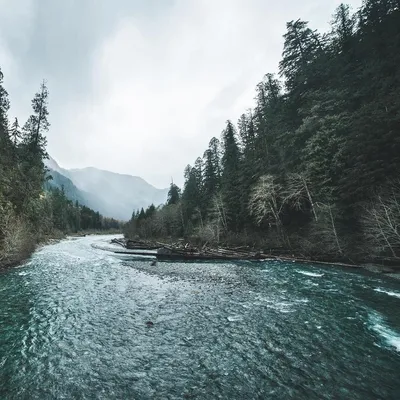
{"points": [[141, 86]]}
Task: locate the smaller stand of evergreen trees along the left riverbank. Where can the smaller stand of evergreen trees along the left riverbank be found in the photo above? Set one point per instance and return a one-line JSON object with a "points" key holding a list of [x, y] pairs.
{"points": [[31, 211]]}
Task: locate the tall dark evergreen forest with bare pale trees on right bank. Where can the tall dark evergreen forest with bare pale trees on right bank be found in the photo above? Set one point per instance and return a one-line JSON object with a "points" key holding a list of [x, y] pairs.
{"points": [[313, 168]]}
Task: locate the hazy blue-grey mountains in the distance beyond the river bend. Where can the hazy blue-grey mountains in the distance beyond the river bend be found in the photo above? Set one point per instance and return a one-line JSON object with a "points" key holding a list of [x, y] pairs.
{"points": [[113, 195]]}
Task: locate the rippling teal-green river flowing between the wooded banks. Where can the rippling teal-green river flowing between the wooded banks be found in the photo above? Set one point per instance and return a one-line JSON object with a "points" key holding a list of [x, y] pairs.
{"points": [[73, 325]]}
